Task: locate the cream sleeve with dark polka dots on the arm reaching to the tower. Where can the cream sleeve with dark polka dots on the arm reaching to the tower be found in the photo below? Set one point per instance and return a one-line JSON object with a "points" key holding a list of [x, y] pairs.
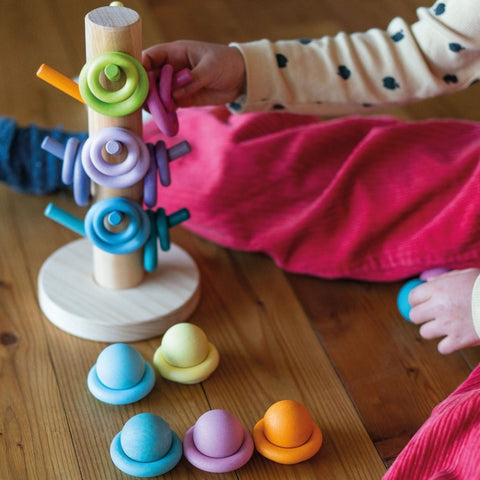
{"points": [[348, 73]]}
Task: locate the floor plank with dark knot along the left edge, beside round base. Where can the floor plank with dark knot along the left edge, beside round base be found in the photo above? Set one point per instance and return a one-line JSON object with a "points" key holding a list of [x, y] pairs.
{"points": [[34, 430]]}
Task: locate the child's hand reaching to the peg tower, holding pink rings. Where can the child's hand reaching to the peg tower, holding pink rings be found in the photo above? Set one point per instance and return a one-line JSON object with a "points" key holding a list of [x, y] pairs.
{"points": [[218, 70]]}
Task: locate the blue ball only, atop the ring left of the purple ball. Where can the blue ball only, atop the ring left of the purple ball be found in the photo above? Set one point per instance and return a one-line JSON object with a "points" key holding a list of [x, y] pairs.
{"points": [[146, 438]]}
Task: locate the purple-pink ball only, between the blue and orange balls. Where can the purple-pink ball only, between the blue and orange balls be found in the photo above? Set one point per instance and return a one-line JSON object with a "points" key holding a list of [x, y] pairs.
{"points": [[218, 434]]}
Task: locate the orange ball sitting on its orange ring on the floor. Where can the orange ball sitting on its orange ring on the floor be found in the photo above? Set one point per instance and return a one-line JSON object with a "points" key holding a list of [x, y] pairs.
{"points": [[287, 434]]}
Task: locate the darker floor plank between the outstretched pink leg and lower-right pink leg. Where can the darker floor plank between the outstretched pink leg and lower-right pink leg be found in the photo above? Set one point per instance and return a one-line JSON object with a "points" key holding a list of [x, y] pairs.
{"points": [[394, 377]]}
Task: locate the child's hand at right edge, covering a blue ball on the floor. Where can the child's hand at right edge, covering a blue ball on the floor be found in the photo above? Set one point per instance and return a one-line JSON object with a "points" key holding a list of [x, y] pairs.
{"points": [[443, 308]]}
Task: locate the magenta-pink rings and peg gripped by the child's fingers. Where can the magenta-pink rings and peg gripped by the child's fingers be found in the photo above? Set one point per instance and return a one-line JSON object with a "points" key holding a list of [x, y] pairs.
{"points": [[159, 100]]}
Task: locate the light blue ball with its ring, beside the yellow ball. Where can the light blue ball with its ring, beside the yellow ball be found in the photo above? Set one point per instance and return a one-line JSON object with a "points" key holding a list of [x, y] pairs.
{"points": [[120, 375]]}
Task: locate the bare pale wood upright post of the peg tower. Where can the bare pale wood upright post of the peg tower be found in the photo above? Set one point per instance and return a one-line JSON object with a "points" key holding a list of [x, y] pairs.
{"points": [[115, 29]]}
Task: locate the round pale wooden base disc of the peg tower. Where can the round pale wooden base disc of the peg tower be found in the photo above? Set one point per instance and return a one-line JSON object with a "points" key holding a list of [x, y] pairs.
{"points": [[74, 302]]}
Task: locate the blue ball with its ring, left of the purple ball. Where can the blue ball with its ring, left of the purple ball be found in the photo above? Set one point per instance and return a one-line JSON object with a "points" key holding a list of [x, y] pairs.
{"points": [[146, 447]]}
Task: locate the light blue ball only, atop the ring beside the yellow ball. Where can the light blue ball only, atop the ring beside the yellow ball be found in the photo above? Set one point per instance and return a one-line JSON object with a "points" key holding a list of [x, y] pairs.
{"points": [[120, 366]]}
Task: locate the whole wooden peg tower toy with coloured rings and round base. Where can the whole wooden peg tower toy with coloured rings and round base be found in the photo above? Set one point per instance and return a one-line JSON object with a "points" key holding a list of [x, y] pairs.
{"points": [[124, 281]]}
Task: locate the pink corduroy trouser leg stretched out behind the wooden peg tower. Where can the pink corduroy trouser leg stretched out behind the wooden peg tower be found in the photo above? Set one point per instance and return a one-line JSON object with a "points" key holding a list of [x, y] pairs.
{"points": [[370, 198]]}
